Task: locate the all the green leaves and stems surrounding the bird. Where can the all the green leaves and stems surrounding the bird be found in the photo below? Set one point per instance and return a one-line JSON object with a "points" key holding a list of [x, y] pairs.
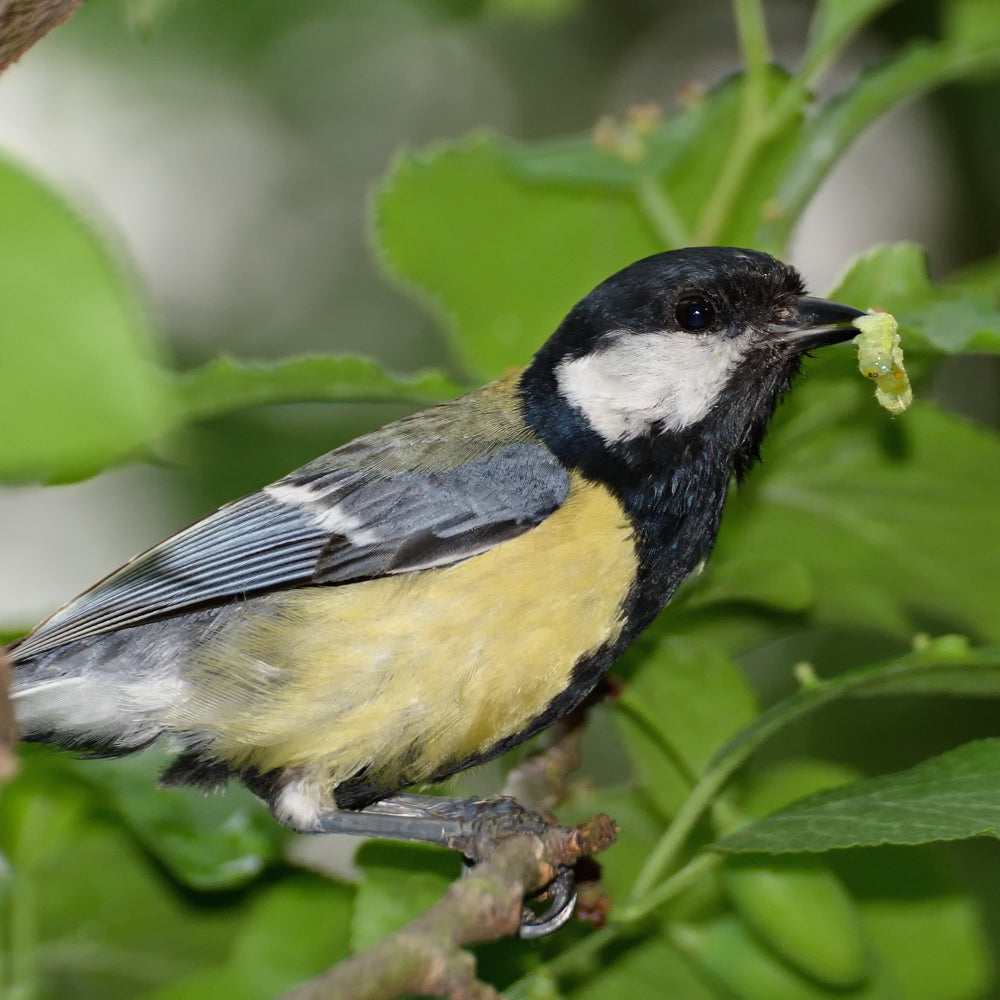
{"points": [[793, 877]]}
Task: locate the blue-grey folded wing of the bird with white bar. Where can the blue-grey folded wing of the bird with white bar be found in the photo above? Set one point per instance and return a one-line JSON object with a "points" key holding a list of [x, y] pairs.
{"points": [[328, 523]]}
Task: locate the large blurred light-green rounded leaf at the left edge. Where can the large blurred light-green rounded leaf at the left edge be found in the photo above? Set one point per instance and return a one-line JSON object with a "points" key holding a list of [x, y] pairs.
{"points": [[81, 387]]}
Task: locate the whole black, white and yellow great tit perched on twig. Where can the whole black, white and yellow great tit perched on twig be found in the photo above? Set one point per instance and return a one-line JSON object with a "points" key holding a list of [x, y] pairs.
{"points": [[437, 591]]}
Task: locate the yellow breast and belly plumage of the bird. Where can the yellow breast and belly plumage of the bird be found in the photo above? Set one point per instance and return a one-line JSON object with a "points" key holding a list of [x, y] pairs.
{"points": [[406, 674]]}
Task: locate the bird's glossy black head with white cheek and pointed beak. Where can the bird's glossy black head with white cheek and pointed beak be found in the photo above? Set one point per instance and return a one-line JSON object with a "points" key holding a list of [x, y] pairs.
{"points": [[692, 344]]}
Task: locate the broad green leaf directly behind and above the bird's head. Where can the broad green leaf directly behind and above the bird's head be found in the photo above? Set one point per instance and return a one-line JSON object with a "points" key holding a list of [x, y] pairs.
{"points": [[499, 259]]}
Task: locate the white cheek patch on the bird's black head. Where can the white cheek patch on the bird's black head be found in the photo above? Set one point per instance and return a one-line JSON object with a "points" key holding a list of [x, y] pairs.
{"points": [[639, 379]]}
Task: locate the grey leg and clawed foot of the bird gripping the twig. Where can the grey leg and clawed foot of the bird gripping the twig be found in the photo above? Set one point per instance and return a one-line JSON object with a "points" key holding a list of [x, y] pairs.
{"points": [[472, 826]]}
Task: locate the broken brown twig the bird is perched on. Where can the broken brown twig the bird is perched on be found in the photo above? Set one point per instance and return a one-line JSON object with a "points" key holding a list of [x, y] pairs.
{"points": [[427, 956]]}
